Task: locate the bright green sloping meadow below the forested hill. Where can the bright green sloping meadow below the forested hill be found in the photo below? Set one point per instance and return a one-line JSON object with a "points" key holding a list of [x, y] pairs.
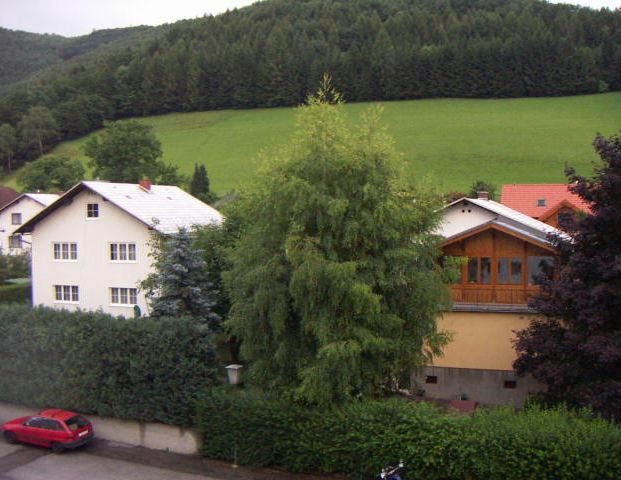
{"points": [[449, 143]]}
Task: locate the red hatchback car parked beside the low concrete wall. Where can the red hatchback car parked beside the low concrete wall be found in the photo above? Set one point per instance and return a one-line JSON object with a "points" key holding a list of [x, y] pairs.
{"points": [[55, 428]]}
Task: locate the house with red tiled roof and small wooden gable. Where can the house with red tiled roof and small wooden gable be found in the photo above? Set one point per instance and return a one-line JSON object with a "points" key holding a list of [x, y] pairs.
{"points": [[549, 203]]}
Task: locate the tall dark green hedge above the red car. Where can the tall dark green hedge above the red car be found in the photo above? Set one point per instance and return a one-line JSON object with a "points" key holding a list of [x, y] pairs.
{"points": [[140, 369]]}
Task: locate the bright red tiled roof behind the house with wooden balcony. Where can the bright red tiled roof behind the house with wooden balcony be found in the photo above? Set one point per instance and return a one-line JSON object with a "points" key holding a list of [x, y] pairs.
{"points": [[537, 199]]}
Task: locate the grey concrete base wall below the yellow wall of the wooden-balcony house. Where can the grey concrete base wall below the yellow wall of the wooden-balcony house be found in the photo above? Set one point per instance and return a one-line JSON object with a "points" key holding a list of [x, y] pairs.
{"points": [[484, 386]]}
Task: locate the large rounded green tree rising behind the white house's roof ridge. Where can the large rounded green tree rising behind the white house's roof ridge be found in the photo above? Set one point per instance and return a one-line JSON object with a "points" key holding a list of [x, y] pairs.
{"points": [[127, 151]]}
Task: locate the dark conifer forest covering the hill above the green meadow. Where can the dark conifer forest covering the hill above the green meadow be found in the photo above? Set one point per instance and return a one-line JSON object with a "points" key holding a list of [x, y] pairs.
{"points": [[274, 52]]}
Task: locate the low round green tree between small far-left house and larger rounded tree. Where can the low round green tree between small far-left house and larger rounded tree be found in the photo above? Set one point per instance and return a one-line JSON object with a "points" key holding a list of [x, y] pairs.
{"points": [[50, 174]]}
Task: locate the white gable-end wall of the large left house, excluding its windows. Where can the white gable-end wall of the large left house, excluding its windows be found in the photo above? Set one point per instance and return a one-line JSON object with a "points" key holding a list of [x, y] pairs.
{"points": [[92, 272]]}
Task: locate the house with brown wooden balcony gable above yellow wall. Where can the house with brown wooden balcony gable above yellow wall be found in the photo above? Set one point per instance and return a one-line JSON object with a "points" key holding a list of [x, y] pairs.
{"points": [[502, 251]]}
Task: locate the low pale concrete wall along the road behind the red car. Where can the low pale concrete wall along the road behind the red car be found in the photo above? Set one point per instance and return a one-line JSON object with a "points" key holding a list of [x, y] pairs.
{"points": [[150, 435]]}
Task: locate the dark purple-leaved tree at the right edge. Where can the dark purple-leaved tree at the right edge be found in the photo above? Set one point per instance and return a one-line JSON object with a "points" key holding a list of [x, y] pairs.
{"points": [[575, 348]]}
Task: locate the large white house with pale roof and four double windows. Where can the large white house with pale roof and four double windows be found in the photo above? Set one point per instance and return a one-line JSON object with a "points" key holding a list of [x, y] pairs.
{"points": [[90, 248]]}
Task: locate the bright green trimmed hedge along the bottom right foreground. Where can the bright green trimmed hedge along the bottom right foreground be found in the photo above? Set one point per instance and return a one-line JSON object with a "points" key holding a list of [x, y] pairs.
{"points": [[358, 439]]}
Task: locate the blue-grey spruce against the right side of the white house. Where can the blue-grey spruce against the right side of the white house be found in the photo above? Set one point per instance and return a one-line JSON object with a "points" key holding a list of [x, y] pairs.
{"points": [[180, 284]]}
